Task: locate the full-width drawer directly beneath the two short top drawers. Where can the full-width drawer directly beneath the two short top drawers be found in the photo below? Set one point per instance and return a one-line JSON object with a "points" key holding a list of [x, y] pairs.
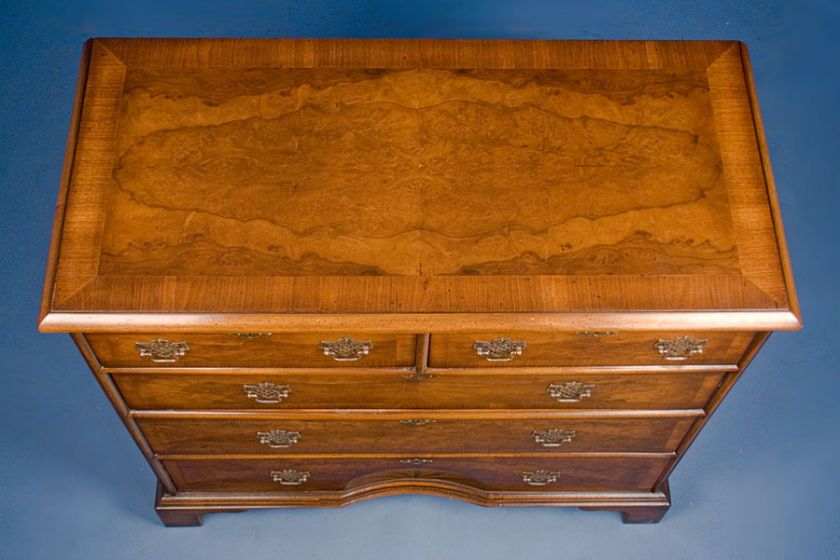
{"points": [[476, 389]]}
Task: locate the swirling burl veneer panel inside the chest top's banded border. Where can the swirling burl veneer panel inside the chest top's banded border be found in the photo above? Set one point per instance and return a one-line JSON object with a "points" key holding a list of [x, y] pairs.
{"points": [[355, 172]]}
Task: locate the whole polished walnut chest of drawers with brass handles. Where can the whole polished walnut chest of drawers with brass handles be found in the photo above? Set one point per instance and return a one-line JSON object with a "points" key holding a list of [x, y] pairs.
{"points": [[311, 272]]}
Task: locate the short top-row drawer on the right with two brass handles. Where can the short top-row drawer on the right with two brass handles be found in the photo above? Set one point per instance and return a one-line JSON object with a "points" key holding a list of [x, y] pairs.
{"points": [[587, 348]]}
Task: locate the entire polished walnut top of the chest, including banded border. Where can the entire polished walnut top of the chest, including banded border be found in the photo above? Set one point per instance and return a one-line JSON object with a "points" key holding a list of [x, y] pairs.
{"points": [[292, 177]]}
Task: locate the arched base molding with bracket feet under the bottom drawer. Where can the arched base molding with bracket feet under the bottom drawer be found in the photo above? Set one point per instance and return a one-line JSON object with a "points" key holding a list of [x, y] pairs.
{"points": [[188, 508]]}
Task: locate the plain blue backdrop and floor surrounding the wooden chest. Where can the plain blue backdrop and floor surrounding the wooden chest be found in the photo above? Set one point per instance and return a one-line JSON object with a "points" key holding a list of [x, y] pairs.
{"points": [[760, 482]]}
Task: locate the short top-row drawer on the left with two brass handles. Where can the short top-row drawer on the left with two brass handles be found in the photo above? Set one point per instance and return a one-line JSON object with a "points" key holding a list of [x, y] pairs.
{"points": [[253, 350]]}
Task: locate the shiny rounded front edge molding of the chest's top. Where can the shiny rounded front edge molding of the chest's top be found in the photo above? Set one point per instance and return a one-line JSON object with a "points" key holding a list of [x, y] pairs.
{"points": [[337, 323]]}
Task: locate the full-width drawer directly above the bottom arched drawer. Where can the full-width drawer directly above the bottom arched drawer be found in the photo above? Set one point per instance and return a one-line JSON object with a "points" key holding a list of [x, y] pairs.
{"points": [[405, 432]]}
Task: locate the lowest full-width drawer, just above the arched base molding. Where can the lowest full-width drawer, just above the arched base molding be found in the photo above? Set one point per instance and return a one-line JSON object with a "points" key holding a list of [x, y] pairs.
{"points": [[542, 474]]}
